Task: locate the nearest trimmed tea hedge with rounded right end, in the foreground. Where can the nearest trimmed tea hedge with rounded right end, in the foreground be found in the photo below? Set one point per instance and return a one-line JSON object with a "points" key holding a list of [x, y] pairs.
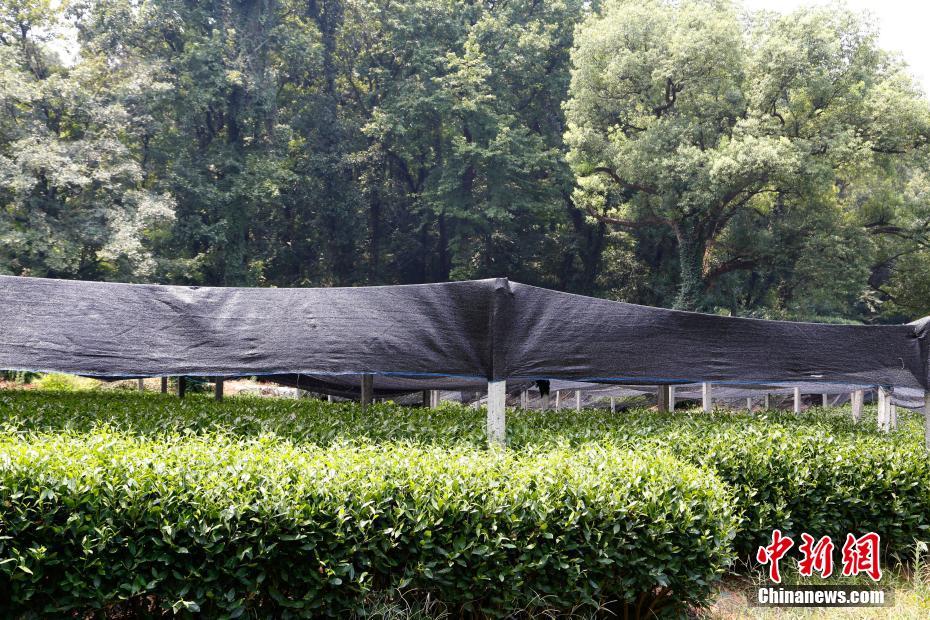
{"points": [[262, 525]]}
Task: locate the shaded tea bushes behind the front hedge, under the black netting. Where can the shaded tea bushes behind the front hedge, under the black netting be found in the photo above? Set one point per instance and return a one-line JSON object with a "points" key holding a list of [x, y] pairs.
{"points": [[817, 472]]}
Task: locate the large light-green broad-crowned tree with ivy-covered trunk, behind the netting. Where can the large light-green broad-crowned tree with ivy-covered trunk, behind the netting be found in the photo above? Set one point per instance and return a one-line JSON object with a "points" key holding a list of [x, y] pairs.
{"points": [[690, 116]]}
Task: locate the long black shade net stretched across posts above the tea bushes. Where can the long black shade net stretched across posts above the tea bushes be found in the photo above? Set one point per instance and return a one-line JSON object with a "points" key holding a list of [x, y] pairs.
{"points": [[456, 335]]}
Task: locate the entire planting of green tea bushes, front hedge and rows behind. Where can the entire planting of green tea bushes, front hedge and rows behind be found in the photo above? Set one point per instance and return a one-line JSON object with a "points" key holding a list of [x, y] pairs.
{"points": [[300, 508]]}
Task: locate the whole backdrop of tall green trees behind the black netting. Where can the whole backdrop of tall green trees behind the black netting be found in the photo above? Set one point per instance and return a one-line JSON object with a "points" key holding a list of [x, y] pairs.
{"points": [[656, 152]]}
